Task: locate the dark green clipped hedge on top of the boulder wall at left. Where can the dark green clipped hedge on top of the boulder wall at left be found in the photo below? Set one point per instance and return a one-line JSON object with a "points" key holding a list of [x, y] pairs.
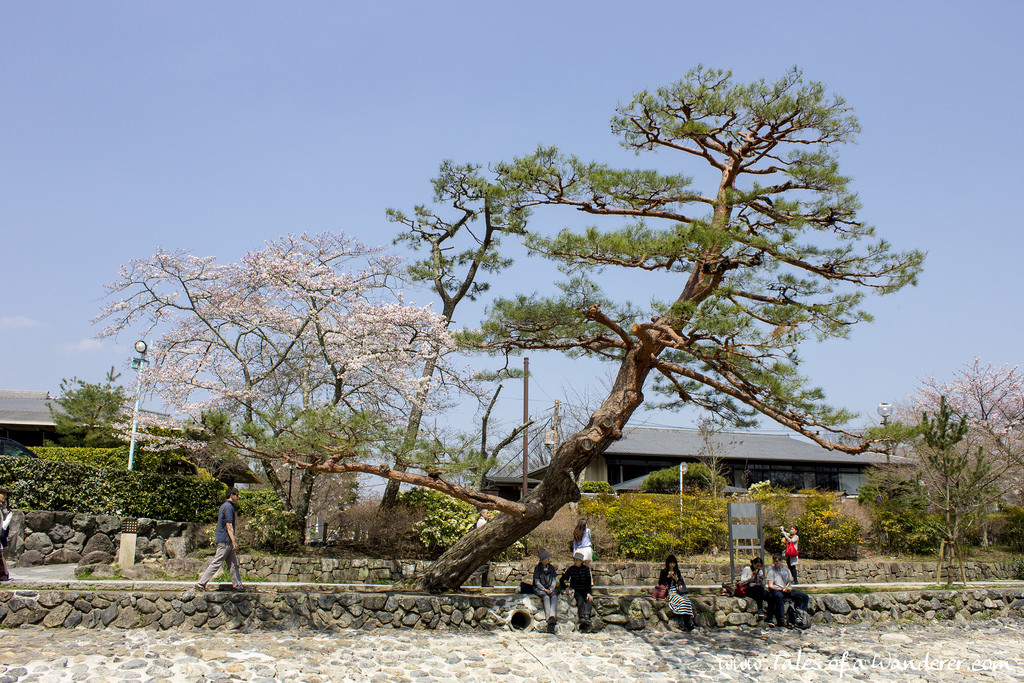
{"points": [[45, 485]]}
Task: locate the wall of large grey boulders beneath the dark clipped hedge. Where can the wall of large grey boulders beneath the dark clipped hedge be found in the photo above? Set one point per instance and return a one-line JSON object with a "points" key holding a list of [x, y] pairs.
{"points": [[42, 537]]}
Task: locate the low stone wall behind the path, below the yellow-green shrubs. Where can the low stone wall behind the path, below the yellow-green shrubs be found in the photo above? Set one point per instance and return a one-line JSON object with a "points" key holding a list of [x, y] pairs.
{"points": [[606, 574]]}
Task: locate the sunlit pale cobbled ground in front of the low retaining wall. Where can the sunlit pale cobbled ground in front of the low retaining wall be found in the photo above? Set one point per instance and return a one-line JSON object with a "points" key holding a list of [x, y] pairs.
{"points": [[992, 651]]}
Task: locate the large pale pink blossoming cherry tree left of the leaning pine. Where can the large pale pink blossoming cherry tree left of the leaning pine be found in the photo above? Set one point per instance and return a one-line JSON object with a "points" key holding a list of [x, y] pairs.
{"points": [[306, 344]]}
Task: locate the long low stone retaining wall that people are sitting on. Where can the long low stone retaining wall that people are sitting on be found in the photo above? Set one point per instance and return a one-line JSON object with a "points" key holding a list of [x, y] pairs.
{"points": [[369, 611]]}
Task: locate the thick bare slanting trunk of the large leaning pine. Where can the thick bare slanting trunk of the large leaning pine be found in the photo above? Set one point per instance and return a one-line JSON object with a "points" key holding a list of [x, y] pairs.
{"points": [[560, 486]]}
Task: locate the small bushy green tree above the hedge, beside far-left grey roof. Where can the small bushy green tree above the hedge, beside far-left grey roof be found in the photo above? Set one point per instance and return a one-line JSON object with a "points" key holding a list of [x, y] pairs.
{"points": [[89, 413]]}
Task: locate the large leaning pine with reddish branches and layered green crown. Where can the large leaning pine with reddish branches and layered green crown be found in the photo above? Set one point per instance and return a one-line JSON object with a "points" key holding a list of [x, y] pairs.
{"points": [[761, 251]]}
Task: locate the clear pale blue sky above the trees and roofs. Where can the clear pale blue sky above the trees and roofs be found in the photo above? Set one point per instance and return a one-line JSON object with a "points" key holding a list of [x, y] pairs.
{"points": [[212, 127]]}
